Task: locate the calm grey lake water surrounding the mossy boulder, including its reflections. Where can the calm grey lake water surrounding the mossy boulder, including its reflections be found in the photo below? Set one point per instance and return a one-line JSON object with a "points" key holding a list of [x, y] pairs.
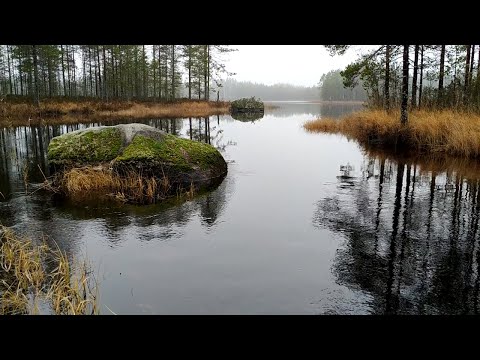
{"points": [[284, 233]]}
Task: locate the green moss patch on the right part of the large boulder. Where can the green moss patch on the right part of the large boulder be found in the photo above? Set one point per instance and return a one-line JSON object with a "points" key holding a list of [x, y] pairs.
{"points": [[183, 154]]}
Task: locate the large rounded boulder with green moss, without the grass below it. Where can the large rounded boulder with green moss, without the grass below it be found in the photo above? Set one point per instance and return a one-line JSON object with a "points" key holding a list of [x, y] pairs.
{"points": [[141, 148]]}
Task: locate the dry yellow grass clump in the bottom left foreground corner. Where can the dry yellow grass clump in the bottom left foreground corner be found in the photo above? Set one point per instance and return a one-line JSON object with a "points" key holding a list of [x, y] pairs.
{"points": [[25, 279]]}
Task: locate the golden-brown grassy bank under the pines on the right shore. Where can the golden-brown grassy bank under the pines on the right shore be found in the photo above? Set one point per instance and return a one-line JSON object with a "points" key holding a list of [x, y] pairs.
{"points": [[434, 132]]}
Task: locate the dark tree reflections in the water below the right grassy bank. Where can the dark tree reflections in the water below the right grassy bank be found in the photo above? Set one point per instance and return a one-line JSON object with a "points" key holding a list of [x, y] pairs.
{"points": [[411, 236]]}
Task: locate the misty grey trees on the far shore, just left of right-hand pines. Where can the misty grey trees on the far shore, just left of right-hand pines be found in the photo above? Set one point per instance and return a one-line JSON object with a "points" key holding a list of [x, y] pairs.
{"points": [[332, 88]]}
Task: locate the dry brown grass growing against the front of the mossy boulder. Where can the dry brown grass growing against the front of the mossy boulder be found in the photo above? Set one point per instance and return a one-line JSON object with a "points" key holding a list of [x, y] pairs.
{"points": [[89, 182]]}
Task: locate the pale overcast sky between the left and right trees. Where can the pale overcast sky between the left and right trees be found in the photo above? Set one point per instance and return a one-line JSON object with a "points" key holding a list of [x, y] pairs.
{"points": [[293, 64]]}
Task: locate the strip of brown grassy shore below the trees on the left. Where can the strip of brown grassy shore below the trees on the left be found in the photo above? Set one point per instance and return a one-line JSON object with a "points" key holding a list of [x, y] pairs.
{"points": [[55, 111]]}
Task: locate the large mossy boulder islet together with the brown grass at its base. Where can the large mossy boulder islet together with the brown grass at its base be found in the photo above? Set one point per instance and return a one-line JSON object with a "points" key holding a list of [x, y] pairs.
{"points": [[132, 162]]}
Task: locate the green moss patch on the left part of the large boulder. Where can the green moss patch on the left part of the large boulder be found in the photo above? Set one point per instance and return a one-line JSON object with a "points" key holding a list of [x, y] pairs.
{"points": [[86, 146]]}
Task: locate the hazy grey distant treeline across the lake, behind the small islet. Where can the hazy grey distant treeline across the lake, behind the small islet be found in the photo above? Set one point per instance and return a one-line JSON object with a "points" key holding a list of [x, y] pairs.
{"points": [[233, 89]]}
